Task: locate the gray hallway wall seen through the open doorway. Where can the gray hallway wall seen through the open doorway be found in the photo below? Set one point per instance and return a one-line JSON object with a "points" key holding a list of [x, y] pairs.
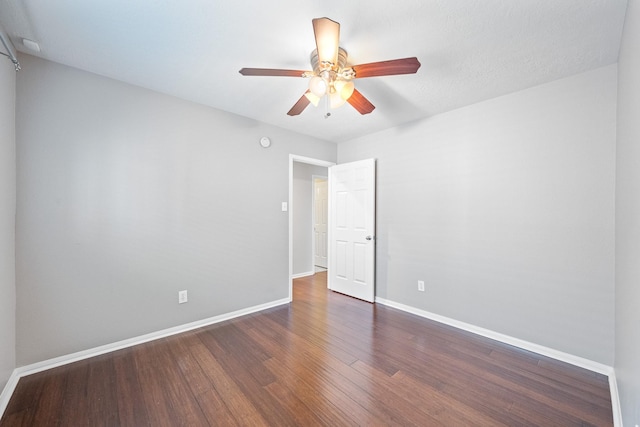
{"points": [[303, 215]]}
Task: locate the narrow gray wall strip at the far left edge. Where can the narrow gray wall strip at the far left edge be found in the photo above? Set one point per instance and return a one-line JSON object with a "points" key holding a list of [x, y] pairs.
{"points": [[7, 220]]}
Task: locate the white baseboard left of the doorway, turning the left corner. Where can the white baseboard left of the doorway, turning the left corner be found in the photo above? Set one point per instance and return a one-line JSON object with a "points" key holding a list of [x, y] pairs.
{"points": [[85, 354]]}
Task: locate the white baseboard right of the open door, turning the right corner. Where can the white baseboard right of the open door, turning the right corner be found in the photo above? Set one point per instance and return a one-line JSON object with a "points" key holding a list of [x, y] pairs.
{"points": [[545, 351]]}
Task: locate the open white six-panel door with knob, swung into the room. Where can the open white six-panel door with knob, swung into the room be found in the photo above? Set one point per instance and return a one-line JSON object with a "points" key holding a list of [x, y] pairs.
{"points": [[351, 229]]}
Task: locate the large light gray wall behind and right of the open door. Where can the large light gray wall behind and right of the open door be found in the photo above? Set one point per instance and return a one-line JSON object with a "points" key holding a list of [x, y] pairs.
{"points": [[506, 210]]}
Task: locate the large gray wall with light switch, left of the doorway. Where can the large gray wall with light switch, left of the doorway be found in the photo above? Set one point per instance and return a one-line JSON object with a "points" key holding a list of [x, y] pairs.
{"points": [[126, 196]]}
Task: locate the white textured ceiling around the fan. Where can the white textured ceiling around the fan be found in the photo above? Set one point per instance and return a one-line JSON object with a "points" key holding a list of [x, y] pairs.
{"points": [[470, 50]]}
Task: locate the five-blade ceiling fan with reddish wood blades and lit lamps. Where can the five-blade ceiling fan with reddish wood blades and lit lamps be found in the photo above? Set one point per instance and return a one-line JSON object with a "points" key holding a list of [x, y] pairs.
{"points": [[331, 76]]}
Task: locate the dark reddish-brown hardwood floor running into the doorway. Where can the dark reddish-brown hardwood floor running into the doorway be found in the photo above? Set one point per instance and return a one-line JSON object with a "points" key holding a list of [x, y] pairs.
{"points": [[325, 359]]}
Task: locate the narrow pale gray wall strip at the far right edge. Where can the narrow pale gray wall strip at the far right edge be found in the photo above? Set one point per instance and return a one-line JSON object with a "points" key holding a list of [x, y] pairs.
{"points": [[627, 364]]}
